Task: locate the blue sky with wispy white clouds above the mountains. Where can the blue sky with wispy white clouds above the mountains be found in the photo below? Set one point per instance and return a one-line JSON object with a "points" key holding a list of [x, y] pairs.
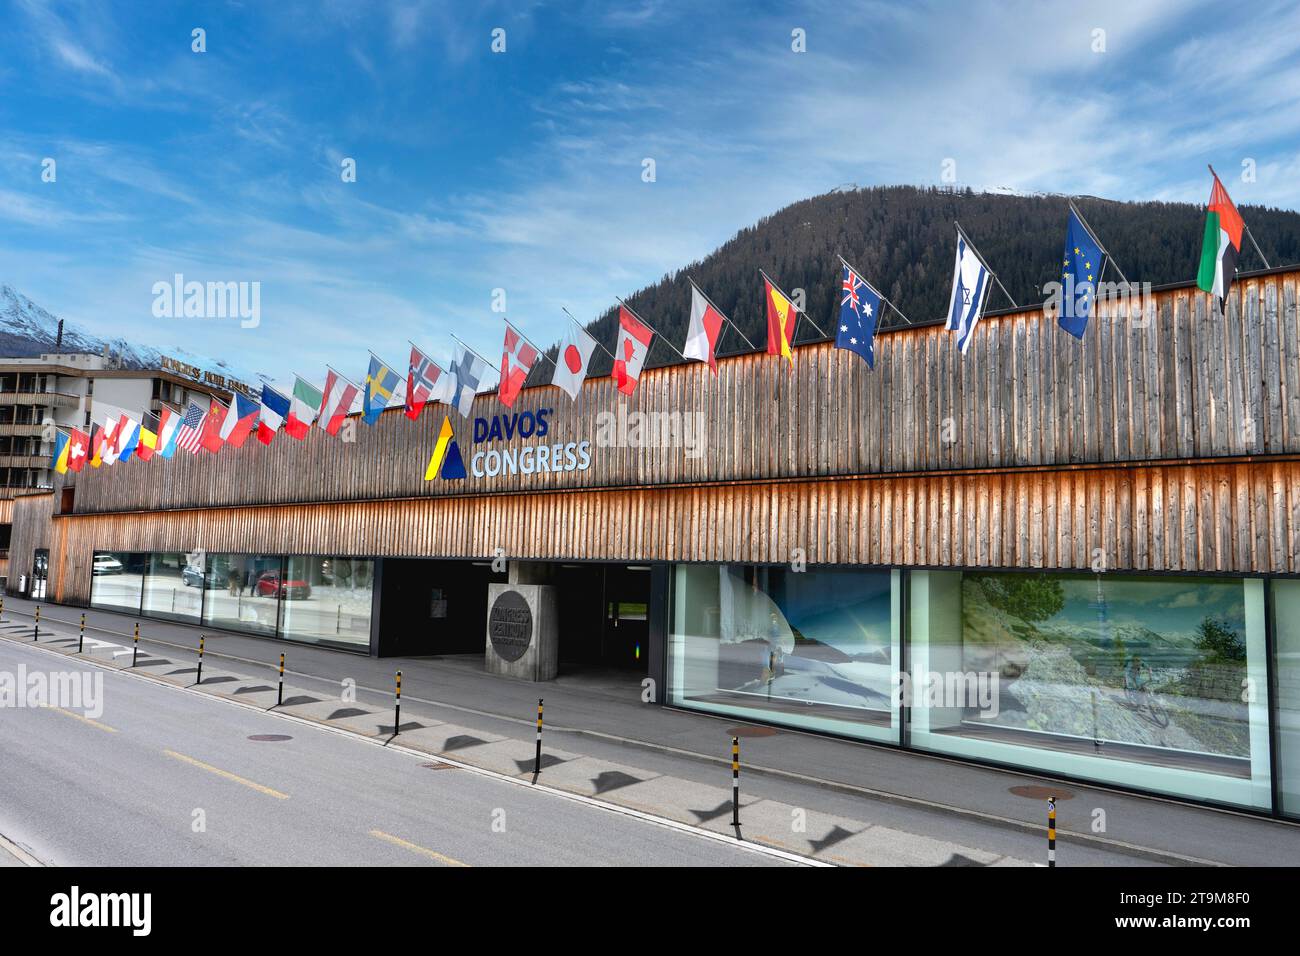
{"points": [[522, 171]]}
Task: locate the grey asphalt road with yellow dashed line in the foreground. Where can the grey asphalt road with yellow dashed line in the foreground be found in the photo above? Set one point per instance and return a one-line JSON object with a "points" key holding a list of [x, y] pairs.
{"points": [[128, 790]]}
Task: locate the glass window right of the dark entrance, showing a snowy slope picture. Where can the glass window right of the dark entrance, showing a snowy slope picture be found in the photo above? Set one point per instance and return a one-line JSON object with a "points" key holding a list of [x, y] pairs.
{"points": [[814, 650]]}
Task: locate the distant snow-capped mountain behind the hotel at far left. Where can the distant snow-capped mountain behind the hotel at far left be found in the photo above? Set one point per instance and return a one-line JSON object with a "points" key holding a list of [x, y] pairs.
{"points": [[29, 330]]}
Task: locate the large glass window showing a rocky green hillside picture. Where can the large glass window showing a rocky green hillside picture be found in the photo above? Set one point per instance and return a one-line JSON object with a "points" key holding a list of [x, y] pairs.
{"points": [[1154, 684]]}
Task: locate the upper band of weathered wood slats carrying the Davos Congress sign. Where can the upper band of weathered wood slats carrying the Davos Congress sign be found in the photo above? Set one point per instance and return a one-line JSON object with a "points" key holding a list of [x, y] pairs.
{"points": [[1175, 379]]}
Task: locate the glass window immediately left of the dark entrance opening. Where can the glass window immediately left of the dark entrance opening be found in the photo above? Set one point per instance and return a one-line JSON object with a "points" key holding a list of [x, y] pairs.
{"points": [[327, 602]]}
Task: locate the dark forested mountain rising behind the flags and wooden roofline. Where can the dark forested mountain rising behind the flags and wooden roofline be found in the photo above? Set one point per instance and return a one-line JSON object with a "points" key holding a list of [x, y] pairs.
{"points": [[903, 241]]}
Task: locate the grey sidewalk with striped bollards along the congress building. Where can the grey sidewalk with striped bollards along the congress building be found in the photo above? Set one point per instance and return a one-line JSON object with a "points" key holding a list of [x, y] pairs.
{"points": [[859, 803]]}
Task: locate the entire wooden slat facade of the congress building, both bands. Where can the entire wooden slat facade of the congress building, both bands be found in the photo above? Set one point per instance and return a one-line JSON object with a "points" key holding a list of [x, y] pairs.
{"points": [[1167, 440]]}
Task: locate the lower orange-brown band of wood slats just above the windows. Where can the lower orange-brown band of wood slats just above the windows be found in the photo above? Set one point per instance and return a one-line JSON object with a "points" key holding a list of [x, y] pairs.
{"points": [[1242, 518]]}
